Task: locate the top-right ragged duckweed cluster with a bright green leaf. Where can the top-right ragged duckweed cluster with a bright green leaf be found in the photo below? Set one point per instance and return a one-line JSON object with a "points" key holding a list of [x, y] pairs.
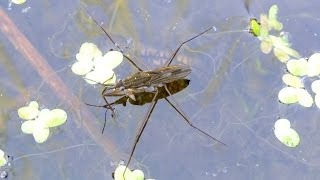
{"points": [[279, 44]]}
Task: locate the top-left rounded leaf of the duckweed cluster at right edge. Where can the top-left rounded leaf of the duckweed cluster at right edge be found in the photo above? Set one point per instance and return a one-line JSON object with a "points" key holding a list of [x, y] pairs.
{"points": [[297, 67]]}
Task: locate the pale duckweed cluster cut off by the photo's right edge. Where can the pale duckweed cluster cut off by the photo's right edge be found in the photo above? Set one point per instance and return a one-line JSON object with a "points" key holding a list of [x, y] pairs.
{"points": [[295, 92]]}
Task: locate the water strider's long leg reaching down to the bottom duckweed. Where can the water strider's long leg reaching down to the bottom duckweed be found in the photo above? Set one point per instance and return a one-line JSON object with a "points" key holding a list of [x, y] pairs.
{"points": [[142, 126]]}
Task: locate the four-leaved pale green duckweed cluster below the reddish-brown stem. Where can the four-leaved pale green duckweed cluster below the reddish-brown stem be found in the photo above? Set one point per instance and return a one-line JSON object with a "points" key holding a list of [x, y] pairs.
{"points": [[38, 121]]}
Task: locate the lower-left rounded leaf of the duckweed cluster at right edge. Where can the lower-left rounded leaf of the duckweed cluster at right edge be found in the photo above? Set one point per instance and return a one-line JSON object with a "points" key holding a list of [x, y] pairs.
{"points": [[288, 95]]}
